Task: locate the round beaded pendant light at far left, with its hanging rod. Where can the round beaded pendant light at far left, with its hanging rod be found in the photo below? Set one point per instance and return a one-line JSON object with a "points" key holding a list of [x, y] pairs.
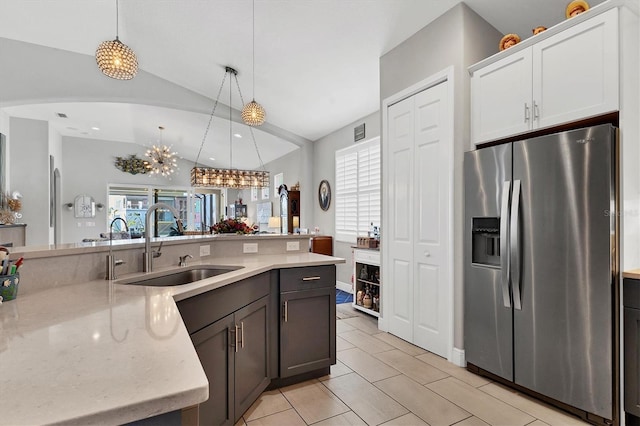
{"points": [[115, 59]]}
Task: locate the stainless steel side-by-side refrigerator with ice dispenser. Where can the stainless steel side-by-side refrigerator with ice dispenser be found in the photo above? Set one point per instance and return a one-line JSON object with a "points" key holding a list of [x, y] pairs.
{"points": [[540, 293]]}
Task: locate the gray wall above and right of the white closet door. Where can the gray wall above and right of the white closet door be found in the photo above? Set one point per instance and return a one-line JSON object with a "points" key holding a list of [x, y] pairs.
{"points": [[459, 38]]}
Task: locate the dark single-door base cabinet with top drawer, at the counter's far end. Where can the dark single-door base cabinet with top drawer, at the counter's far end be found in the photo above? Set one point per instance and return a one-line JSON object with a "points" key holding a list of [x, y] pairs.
{"points": [[307, 319]]}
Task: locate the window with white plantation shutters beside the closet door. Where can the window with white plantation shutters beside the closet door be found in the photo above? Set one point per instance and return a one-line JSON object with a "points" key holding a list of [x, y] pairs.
{"points": [[357, 193]]}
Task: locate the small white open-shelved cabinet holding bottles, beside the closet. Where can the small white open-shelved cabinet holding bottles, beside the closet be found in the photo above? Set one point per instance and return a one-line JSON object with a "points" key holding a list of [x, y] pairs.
{"points": [[366, 274]]}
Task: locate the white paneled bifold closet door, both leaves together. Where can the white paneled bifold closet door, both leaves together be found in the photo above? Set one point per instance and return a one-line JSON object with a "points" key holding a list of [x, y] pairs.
{"points": [[417, 178]]}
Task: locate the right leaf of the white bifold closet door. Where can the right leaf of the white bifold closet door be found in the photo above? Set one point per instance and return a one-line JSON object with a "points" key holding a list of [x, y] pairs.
{"points": [[432, 192]]}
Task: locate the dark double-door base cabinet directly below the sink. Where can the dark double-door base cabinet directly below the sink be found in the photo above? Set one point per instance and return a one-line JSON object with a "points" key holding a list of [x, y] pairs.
{"points": [[232, 339]]}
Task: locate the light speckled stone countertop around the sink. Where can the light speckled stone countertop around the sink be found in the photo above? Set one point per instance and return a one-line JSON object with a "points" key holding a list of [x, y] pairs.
{"points": [[107, 353]]}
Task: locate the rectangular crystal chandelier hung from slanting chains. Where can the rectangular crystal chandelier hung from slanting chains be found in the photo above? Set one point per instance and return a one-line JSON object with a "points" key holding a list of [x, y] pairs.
{"points": [[228, 178]]}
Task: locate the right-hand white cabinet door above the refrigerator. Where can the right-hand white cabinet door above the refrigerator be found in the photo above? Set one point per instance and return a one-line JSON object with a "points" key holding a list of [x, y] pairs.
{"points": [[575, 73]]}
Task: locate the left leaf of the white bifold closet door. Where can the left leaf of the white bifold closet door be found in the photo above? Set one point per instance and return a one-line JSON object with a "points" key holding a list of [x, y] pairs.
{"points": [[399, 238]]}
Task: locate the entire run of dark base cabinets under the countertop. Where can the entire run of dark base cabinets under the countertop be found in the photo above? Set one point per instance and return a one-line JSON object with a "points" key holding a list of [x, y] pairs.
{"points": [[244, 342]]}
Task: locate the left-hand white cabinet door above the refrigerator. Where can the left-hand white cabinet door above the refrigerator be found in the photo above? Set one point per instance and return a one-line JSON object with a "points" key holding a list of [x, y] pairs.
{"points": [[501, 98]]}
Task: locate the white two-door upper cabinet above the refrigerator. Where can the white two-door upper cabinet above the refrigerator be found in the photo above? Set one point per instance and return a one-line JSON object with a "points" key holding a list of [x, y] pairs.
{"points": [[568, 76]]}
